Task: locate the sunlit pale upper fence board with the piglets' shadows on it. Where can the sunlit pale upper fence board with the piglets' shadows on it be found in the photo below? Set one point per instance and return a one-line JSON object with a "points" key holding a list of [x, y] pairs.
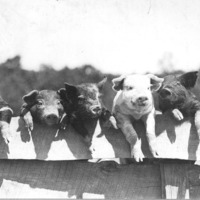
{"points": [[174, 140]]}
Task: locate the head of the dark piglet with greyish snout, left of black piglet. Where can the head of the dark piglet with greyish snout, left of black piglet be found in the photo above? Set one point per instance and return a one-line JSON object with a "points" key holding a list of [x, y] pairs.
{"points": [[45, 106]]}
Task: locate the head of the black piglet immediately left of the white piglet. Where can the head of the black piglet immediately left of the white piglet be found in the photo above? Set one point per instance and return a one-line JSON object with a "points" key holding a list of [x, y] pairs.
{"points": [[83, 100]]}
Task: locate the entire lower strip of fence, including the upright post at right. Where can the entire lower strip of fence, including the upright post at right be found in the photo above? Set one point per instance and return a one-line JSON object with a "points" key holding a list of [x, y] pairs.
{"points": [[165, 179]]}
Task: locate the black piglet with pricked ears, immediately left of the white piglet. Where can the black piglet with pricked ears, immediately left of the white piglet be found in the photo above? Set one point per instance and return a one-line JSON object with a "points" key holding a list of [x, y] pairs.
{"points": [[83, 106]]}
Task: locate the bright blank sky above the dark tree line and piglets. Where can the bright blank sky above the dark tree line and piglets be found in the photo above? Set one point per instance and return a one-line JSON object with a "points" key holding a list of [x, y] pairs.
{"points": [[115, 36]]}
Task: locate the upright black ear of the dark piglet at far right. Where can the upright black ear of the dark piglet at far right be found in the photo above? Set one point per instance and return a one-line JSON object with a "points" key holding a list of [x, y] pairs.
{"points": [[188, 80]]}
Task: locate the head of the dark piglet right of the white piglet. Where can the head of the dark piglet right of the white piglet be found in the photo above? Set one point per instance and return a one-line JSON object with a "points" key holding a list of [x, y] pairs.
{"points": [[174, 92]]}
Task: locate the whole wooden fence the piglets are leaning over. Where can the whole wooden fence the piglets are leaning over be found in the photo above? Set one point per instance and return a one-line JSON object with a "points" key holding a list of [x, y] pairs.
{"points": [[47, 163]]}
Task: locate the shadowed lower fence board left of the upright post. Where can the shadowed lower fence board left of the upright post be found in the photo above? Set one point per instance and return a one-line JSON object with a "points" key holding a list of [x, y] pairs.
{"points": [[78, 179]]}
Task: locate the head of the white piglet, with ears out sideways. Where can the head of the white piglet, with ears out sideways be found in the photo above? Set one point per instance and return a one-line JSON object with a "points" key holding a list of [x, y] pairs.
{"points": [[137, 90]]}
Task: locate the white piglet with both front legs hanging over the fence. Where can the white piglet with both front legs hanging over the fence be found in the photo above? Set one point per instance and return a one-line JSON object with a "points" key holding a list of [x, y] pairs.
{"points": [[134, 101]]}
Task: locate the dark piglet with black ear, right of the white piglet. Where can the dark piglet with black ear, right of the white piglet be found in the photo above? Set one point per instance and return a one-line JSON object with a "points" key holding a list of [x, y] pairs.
{"points": [[175, 95]]}
